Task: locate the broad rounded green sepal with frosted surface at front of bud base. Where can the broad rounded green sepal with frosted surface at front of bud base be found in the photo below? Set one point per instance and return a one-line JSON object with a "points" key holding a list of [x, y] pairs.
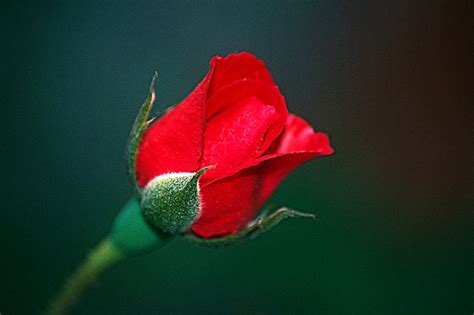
{"points": [[171, 202]]}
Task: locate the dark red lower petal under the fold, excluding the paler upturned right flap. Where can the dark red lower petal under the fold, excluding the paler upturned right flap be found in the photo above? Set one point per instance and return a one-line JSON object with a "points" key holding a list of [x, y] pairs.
{"points": [[232, 202]]}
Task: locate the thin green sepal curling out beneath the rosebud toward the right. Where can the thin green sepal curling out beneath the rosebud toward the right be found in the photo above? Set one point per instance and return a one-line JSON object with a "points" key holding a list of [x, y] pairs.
{"points": [[261, 224]]}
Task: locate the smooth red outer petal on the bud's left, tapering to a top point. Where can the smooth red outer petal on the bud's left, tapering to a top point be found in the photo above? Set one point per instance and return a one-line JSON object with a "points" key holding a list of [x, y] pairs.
{"points": [[174, 143]]}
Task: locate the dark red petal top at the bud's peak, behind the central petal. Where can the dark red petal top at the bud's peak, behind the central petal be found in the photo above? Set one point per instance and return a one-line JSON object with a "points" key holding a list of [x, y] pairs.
{"points": [[235, 67]]}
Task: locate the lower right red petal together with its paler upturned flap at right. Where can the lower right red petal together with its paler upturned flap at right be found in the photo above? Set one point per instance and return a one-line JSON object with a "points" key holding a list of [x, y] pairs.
{"points": [[232, 202]]}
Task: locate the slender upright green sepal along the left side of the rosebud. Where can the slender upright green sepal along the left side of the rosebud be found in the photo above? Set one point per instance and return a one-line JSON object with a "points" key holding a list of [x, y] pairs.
{"points": [[139, 127]]}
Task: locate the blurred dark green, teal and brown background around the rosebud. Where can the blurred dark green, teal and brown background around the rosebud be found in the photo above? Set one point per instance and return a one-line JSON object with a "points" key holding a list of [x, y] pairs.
{"points": [[389, 81]]}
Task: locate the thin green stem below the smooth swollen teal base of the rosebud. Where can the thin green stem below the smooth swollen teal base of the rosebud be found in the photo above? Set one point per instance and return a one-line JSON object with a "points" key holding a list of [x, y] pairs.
{"points": [[102, 257]]}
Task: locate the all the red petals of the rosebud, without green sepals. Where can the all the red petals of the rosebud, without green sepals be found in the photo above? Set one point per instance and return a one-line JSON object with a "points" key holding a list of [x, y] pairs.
{"points": [[237, 121]]}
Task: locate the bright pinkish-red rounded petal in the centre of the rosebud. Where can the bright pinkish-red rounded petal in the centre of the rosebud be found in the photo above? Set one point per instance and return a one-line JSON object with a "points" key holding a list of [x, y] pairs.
{"points": [[244, 118]]}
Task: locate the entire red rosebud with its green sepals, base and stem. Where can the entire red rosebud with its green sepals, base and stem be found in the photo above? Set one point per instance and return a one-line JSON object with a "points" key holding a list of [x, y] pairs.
{"points": [[205, 168]]}
